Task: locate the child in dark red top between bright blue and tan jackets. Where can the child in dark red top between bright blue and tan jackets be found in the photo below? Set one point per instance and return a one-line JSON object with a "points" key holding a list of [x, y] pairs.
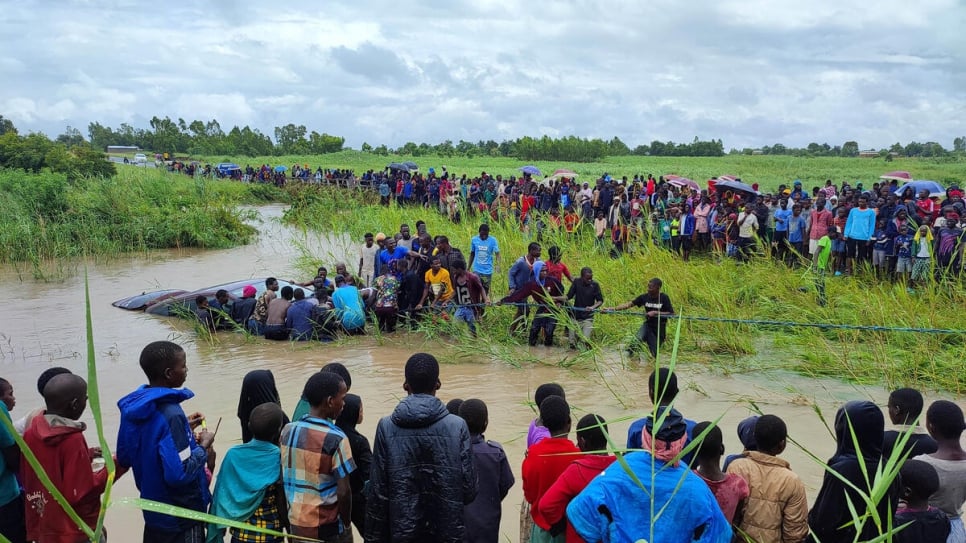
{"points": [[729, 489]]}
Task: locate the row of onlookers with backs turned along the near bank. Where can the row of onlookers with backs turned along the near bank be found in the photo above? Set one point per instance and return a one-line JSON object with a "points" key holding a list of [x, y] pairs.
{"points": [[430, 475]]}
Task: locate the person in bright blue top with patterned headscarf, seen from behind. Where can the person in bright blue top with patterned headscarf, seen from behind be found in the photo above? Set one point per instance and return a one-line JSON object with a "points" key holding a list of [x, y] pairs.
{"points": [[617, 505]]}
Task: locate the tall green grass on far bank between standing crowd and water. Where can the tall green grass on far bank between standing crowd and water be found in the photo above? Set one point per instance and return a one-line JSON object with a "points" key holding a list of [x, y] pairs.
{"points": [[707, 286]]}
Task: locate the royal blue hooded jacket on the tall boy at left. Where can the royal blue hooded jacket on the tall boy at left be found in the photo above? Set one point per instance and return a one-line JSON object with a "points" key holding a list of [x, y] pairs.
{"points": [[156, 442]]}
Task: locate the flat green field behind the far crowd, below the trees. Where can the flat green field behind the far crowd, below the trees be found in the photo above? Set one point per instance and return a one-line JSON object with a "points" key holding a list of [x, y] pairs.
{"points": [[767, 171]]}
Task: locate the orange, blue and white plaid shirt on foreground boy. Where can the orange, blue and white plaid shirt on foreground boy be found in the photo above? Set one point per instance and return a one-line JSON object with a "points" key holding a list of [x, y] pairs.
{"points": [[315, 455]]}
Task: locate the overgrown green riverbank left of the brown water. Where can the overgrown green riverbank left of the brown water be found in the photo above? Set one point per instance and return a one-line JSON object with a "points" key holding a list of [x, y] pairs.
{"points": [[45, 216]]}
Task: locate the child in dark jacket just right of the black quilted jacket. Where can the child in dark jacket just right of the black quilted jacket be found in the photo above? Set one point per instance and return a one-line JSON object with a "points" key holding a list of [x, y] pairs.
{"points": [[482, 515]]}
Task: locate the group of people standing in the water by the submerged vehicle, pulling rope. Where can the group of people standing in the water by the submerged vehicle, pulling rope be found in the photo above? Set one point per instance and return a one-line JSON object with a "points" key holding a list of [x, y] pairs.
{"points": [[403, 279]]}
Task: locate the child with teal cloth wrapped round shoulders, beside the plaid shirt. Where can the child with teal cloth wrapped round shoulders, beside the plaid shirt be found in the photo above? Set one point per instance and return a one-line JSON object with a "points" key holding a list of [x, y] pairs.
{"points": [[248, 488]]}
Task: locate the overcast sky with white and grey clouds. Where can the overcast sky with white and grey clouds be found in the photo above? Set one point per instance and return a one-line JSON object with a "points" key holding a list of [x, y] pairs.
{"points": [[751, 72]]}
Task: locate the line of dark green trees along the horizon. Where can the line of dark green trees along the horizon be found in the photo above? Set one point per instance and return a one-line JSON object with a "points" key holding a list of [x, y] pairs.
{"points": [[207, 138]]}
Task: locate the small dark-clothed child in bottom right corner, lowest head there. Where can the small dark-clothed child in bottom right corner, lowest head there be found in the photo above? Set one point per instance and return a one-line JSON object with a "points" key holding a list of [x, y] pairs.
{"points": [[919, 482]]}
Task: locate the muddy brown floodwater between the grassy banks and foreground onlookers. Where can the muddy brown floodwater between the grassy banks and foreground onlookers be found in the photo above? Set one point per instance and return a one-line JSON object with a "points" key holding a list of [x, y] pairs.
{"points": [[43, 326]]}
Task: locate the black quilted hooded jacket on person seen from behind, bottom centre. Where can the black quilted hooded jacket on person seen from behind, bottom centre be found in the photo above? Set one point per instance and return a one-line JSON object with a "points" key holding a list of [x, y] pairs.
{"points": [[422, 474]]}
